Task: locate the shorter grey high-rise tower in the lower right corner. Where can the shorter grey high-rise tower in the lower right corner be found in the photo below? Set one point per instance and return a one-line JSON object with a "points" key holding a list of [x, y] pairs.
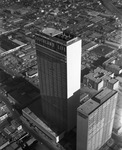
{"points": [[95, 120]]}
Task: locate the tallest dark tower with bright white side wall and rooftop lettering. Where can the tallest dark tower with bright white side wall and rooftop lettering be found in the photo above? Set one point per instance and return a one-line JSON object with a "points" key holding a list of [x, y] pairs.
{"points": [[59, 69]]}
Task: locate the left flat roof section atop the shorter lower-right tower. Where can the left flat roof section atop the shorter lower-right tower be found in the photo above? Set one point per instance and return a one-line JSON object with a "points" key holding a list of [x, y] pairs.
{"points": [[88, 107]]}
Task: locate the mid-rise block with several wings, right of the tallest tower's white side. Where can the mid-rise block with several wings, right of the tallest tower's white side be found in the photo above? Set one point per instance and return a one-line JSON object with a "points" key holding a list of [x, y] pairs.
{"points": [[101, 78]]}
